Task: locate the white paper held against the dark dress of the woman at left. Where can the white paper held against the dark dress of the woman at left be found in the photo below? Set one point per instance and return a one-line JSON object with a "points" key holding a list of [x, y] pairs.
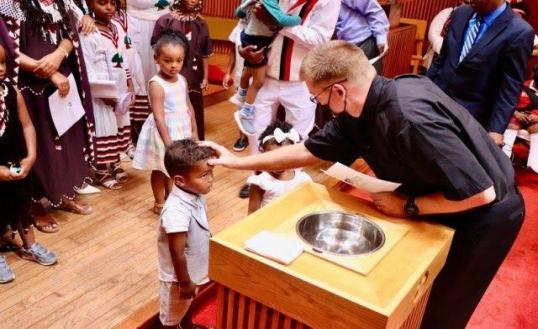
{"points": [[68, 110]]}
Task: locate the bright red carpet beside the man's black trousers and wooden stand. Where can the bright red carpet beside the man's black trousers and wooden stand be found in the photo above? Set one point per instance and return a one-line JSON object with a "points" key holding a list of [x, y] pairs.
{"points": [[511, 300]]}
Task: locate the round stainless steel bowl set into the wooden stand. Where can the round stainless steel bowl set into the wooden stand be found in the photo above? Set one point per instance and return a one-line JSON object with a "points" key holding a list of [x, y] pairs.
{"points": [[340, 233]]}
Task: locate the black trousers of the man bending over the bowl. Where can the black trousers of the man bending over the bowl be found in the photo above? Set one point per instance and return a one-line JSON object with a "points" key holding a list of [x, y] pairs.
{"points": [[480, 245]]}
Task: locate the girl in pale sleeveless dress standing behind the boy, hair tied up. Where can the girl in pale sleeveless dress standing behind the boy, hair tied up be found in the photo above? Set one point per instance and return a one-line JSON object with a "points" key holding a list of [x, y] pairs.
{"points": [[172, 118]]}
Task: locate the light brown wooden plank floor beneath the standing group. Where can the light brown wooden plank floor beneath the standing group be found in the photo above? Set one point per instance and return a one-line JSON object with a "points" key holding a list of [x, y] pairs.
{"points": [[108, 260]]}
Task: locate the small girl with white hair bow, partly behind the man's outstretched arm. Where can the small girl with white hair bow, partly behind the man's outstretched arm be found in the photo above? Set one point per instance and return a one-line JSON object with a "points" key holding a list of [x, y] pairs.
{"points": [[268, 186]]}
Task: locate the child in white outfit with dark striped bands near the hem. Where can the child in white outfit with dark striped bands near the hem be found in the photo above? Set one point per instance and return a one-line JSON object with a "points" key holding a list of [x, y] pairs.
{"points": [[104, 54]]}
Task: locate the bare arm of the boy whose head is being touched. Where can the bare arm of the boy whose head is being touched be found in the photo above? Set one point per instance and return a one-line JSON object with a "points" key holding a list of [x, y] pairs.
{"points": [[176, 243]]}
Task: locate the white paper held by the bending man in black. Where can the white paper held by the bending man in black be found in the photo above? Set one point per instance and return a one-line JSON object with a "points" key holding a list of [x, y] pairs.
{"points": [[359, 180]]}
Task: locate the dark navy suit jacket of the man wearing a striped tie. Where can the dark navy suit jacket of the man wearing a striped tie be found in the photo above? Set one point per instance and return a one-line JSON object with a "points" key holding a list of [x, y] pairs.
{"points": [[489, 79]]}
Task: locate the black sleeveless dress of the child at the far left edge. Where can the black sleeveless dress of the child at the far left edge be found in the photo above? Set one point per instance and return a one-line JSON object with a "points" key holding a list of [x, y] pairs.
{"points": [[15, 196]]}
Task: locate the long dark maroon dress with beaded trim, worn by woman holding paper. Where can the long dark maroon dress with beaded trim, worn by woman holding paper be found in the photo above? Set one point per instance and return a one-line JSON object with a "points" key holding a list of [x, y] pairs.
{"points": [[63, 162]]}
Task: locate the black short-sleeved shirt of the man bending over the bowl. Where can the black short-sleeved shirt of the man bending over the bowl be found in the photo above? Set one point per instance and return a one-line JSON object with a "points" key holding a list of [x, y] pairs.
{"points": [[410, 132]]}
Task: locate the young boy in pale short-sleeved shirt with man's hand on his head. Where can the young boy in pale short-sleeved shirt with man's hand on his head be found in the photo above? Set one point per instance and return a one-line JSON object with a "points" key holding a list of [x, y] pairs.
{"points": [[183, 241]]}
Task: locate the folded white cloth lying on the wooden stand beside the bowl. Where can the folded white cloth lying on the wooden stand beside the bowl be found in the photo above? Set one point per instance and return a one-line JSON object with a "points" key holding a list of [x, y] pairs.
{"points": [[274, 246]]}
